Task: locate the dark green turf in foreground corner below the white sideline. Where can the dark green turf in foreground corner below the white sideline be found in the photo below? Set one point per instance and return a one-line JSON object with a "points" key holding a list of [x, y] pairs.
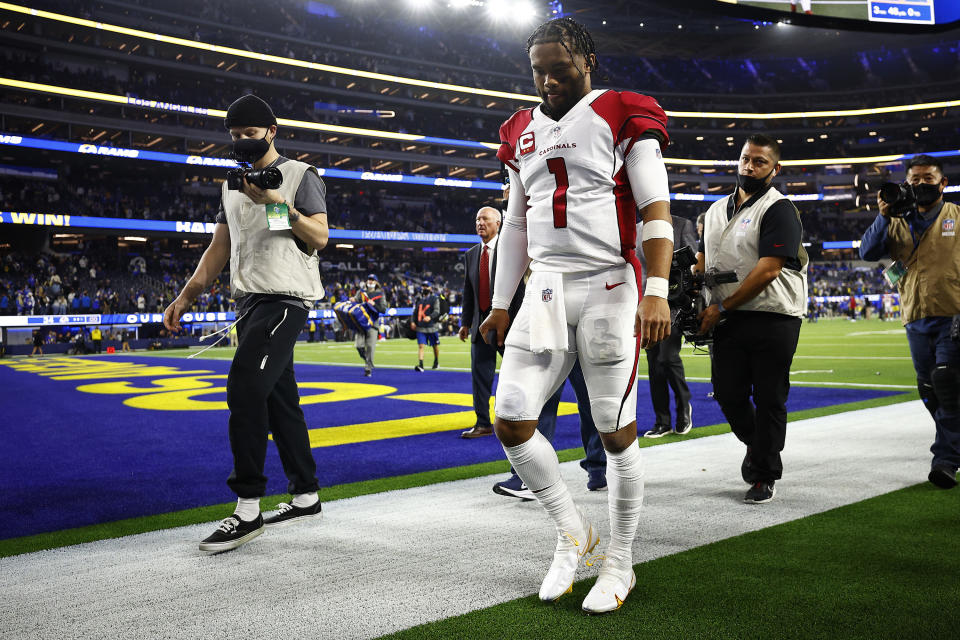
{"points": [[882, 568]]}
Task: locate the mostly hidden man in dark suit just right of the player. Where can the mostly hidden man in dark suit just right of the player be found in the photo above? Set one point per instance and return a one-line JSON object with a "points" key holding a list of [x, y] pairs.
{"points": [[664, 365]]}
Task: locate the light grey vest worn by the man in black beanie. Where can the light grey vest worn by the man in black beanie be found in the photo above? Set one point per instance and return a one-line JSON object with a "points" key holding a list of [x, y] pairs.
{"points": [[264, 261]]}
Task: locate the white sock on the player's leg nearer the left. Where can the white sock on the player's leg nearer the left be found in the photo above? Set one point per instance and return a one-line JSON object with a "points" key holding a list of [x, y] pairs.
{"points": [[535, 461]]}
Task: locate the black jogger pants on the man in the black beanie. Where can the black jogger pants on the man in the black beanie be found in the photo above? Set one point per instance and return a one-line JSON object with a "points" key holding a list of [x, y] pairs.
{"points": [[263, 397]]}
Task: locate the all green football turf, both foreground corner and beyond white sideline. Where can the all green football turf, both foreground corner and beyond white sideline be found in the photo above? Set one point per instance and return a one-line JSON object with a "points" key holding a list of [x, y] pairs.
{"points": [[881, 568]]}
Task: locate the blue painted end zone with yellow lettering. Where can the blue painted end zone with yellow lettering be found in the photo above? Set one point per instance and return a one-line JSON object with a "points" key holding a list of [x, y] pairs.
{"points": [[72, 458]]}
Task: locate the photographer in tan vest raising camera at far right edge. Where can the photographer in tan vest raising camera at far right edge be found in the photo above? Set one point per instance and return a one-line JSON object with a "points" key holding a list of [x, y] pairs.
{"points": [[918, 230]]}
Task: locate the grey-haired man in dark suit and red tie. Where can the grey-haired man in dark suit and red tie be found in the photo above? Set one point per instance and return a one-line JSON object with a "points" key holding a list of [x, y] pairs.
{"points": [[481, 266]]}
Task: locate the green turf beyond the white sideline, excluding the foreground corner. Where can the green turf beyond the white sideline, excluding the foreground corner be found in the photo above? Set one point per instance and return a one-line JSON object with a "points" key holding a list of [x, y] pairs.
{"points": [[833, 352]]}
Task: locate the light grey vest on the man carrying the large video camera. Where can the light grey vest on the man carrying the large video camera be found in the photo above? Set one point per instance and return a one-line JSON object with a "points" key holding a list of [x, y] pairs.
{"points": [[735, 246]]}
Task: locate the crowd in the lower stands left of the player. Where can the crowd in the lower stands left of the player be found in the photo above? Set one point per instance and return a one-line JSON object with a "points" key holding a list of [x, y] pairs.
{"points": [[95, 278]]}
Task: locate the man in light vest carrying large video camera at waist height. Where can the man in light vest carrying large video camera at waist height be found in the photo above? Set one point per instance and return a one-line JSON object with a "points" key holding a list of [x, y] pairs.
{"points": [[755, 232]]}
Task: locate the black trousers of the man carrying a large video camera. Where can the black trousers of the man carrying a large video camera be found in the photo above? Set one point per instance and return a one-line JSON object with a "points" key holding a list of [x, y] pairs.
{"points": [[752, 354]]}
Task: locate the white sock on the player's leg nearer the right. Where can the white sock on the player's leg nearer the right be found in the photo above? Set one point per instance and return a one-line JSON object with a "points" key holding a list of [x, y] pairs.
{"points": [[625, 489]]}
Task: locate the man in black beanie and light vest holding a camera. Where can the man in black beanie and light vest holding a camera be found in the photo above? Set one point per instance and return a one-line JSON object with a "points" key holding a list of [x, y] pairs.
{"points": [[271, 237]]}
